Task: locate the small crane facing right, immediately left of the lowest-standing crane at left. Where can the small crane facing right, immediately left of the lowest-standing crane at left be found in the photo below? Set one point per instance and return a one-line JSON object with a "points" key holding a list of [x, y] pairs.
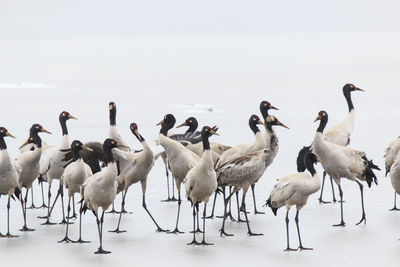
{"points": [[74, 175]]}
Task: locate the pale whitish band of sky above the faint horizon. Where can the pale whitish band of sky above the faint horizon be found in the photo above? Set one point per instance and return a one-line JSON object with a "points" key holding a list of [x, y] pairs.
{"points": [[48, 19]]}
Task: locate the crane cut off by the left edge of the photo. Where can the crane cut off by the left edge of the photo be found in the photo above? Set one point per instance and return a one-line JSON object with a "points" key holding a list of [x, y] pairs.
{"points": [[9, 175]]}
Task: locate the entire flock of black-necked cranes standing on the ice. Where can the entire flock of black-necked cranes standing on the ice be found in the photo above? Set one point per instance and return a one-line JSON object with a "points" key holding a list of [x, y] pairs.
{"points": [[98, 171]]}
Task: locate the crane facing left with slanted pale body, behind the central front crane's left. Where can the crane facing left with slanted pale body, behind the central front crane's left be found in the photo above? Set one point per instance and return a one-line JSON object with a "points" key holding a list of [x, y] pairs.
{"points": [[180, 159]]}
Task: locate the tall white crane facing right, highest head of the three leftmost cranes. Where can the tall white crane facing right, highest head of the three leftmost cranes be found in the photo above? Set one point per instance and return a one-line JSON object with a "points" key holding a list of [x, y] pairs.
{"points": [[52, 166]]}
